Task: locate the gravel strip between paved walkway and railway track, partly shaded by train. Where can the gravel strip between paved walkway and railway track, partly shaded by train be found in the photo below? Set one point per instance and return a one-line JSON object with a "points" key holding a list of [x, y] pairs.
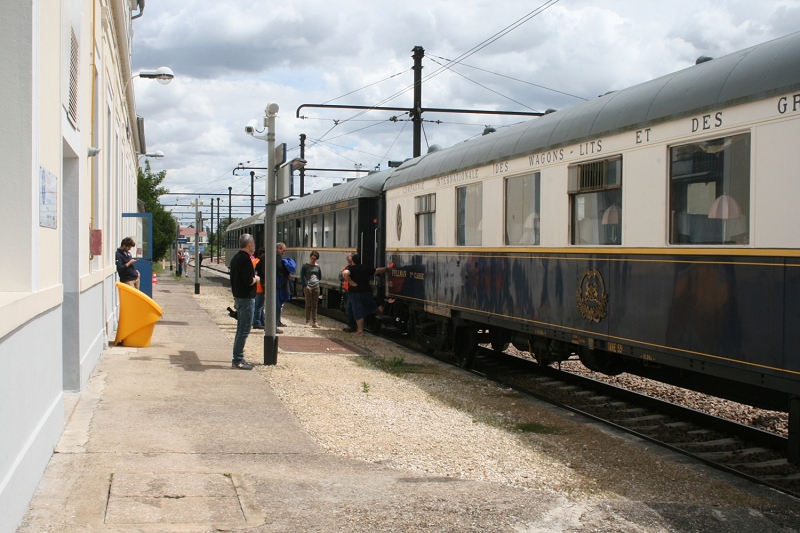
{"points": [[397, 408]]}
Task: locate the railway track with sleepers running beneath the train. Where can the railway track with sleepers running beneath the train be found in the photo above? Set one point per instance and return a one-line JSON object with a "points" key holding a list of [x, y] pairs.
{"points": [[756, 455]]}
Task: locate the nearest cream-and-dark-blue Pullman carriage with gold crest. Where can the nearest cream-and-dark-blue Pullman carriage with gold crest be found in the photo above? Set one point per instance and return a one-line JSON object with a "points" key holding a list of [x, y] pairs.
{"points": [[653, 230]]}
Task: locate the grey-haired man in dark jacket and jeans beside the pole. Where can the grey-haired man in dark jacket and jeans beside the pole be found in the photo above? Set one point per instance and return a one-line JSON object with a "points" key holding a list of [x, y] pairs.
{"points": [[243, 286]]}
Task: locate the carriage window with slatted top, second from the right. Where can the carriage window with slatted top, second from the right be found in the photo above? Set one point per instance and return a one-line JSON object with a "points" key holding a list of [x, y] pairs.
{"points": [[596, 202]]}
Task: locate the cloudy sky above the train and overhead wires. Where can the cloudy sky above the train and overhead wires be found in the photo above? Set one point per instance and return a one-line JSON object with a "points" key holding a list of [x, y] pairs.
{"points": [[231, 58]]}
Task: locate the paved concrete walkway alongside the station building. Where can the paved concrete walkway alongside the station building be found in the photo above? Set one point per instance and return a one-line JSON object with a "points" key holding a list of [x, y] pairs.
{"points": [[170, 438]]}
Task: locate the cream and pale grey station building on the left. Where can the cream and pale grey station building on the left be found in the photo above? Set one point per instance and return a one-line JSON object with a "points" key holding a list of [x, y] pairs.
{"points": [[65, 92]]}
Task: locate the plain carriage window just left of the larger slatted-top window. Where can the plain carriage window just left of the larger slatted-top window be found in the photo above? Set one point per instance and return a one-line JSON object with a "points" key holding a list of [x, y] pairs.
{"points": [[522, 209]]}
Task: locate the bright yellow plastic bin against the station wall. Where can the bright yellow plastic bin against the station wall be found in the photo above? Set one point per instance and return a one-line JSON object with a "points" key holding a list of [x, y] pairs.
{"points": [[138, 314]]}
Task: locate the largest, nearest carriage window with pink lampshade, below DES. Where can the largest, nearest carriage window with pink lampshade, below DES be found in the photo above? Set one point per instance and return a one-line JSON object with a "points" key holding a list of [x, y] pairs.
{"points": [[710, 191]]}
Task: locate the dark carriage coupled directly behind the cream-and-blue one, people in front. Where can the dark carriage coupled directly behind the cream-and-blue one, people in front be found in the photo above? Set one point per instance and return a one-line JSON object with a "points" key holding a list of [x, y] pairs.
{"points": [[334, 222]]}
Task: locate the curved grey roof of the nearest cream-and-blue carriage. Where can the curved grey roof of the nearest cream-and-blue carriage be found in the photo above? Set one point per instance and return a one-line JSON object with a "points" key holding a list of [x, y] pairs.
{"points": [[753, 74]]}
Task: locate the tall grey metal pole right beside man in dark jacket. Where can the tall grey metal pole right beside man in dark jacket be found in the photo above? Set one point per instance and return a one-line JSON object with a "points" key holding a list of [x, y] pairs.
{"points": [[270, 243]]}
